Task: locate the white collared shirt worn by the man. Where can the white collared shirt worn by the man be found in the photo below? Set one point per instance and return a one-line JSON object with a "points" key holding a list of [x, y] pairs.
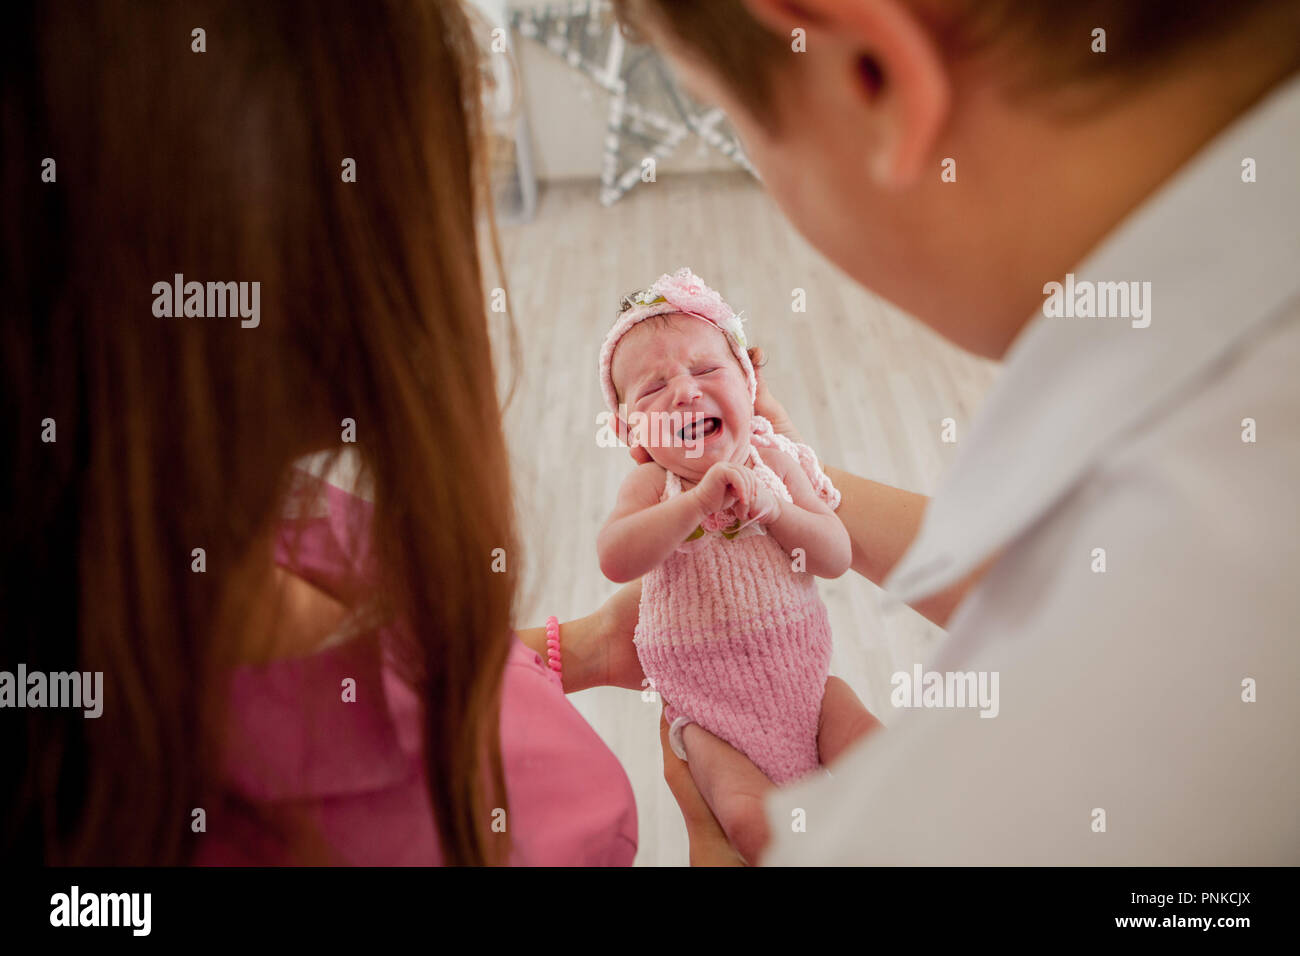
{"points": [[1125, 728]]}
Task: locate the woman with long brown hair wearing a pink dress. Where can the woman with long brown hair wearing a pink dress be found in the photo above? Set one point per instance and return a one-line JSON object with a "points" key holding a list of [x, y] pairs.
{"points": [[267, 642]]}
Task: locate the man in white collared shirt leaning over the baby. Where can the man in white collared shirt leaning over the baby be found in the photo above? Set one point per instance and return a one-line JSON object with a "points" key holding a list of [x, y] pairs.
{"points": [[1119, 531]]}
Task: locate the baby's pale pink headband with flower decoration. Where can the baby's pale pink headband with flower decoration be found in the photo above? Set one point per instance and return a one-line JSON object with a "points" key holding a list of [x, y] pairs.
{"points": [[682, 292]]}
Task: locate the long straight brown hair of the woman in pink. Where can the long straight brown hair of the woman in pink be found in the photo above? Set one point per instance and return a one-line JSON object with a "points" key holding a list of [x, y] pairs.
{"points": [[174, 434]]}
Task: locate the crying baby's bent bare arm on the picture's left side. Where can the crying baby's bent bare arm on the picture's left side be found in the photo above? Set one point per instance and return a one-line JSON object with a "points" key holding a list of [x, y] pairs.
{"points": [[643, 531]]}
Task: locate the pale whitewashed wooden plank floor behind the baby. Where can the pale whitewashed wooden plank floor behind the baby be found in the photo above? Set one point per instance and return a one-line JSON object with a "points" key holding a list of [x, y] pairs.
{"points": [[868, 387]]}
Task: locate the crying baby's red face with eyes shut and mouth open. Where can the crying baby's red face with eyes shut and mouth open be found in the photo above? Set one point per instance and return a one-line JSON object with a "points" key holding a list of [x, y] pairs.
{"points": [[686, 396]]}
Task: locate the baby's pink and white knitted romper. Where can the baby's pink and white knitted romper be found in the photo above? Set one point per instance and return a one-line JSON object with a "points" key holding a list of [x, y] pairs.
{"points": [[739, 642]]}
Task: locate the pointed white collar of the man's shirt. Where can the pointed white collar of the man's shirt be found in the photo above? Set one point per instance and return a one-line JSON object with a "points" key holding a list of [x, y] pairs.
{"points": [[1221, 257]]}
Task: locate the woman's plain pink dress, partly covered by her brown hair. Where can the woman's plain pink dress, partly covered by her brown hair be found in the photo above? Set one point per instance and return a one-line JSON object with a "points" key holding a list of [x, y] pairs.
{"points": [[357, 768]]}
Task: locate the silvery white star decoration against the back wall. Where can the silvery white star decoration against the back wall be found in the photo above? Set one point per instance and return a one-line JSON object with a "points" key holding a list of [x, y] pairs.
{"points": [[651, 116]]}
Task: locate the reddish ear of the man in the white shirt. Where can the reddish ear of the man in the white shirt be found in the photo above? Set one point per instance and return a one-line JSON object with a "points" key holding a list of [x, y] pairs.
{"points": [[896, 66]]}
